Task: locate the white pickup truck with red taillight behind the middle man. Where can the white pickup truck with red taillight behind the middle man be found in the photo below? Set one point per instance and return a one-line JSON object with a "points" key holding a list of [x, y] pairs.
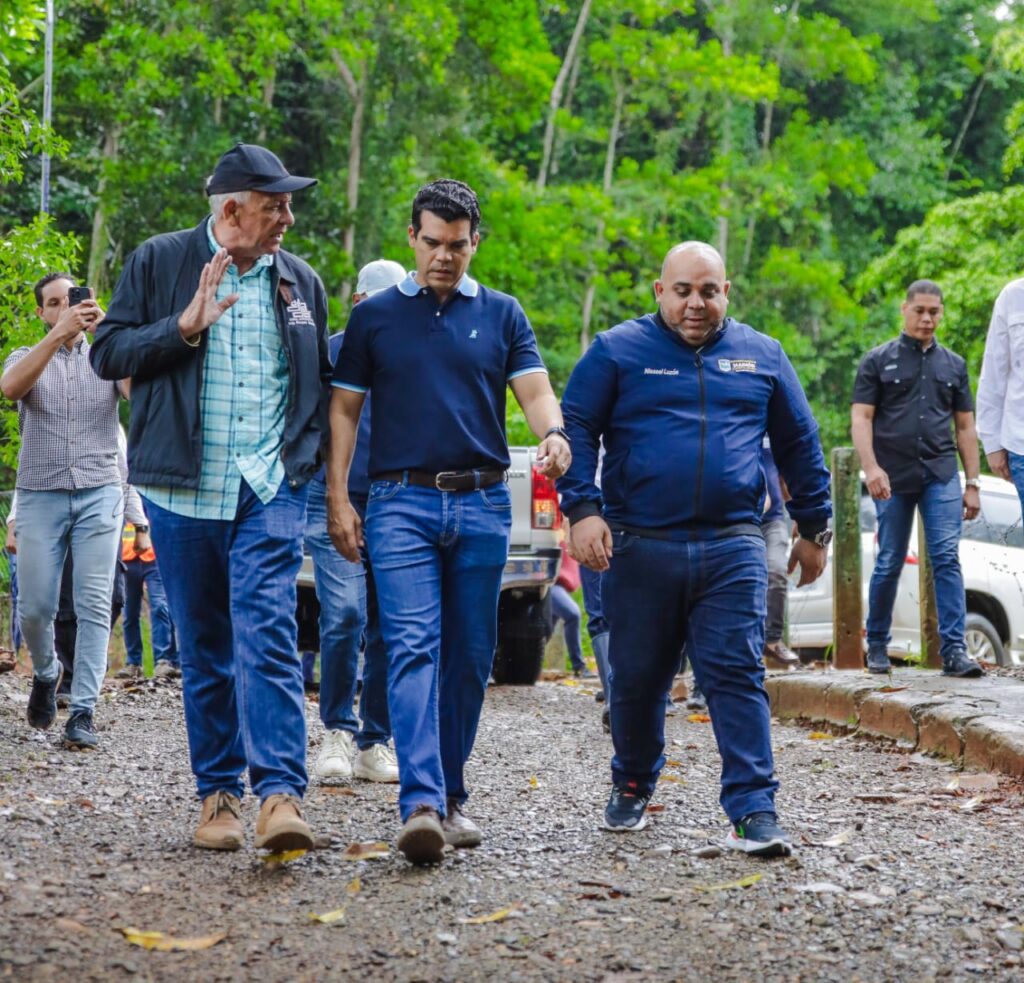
{"points": [[525, 610]]}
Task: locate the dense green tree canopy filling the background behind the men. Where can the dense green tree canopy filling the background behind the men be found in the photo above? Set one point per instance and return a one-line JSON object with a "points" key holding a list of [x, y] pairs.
{"points": [[833, 150]]}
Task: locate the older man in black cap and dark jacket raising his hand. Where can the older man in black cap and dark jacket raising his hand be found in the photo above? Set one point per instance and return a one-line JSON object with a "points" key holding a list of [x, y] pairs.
{"points": [[225, 336]]}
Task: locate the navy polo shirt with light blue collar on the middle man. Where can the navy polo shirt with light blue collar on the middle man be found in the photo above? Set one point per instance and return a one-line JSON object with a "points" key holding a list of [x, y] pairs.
{"points": [[439, 374]]}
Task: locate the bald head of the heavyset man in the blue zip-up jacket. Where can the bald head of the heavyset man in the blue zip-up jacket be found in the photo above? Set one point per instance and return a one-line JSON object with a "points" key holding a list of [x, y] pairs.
{"points": [[693, 293]]}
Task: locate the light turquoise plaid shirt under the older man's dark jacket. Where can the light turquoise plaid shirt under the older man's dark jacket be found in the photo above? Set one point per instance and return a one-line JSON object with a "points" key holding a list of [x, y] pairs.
{"points": [[242, 402]]}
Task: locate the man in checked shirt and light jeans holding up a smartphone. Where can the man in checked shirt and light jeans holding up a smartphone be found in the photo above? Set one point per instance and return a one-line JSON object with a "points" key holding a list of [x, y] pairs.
{"points": [[70, 498]]}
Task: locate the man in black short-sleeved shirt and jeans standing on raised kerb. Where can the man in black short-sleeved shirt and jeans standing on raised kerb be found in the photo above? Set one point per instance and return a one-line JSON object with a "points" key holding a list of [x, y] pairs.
{"points": [[907, 394]]}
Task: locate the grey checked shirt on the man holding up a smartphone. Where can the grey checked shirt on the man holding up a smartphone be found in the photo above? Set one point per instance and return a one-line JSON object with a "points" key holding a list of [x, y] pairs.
{"points": [[69, 425]]}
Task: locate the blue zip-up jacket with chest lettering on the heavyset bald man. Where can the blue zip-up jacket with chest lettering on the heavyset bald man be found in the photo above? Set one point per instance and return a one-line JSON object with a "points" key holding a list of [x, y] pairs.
{"points": [[682, 431]]}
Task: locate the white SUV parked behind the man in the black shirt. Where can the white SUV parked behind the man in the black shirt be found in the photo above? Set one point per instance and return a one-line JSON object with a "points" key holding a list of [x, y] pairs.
{"points": [[992, 554]]}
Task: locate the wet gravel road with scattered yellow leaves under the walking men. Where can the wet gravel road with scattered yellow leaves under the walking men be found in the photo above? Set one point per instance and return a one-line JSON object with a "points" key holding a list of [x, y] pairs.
{"points": [[907, 871]]}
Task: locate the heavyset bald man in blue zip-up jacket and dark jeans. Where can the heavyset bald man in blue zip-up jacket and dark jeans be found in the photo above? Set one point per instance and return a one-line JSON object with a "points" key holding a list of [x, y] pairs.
{"points": [[682, 400]]}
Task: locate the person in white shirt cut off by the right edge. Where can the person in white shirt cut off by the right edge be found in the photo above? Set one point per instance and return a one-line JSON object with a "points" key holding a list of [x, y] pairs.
{"points": [[1001, 389]]}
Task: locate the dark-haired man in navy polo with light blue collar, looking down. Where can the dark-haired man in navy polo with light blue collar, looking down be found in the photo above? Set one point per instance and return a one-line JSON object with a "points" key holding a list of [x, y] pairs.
{"points": [[438, 353]]}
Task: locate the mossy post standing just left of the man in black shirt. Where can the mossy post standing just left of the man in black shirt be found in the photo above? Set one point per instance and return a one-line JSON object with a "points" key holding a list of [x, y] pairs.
{"points": [[848, 617]]}
